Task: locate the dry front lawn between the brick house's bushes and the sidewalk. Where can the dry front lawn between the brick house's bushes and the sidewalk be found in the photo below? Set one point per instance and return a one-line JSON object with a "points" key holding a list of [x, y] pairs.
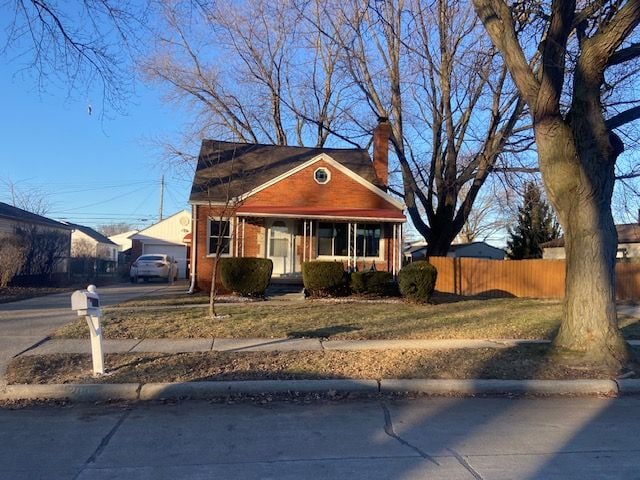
{"points": [[492, 318]]}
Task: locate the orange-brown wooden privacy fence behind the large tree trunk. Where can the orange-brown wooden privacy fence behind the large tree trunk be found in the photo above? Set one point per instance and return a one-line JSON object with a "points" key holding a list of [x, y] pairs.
{"points": [[520, 278]]}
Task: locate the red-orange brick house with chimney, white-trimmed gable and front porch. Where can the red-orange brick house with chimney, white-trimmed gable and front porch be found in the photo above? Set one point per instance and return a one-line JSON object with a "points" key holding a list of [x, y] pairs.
{"points": [[294, 204]]}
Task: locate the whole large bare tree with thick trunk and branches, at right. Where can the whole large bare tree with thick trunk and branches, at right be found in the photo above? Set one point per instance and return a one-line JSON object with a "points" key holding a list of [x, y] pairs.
{"points": [[582, 48]]}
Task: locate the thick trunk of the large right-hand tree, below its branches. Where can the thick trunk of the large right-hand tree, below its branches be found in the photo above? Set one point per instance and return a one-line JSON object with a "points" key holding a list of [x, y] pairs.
{"points": [[580, 185]]}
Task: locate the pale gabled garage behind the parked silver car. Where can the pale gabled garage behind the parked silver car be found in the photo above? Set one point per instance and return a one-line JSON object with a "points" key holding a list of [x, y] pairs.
{"points": [[168, 237]]}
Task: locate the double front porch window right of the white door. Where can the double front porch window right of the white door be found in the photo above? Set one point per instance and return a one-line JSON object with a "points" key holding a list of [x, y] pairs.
{"points": [[333, 239]]}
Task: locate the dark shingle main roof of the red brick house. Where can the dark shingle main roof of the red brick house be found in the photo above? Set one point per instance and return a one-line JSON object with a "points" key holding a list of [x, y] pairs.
{"points": [[245, 166]]}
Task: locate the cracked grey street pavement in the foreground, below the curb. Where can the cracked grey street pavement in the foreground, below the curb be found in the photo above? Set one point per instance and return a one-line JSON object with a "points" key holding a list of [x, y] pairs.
{"points": [[418, 438]]}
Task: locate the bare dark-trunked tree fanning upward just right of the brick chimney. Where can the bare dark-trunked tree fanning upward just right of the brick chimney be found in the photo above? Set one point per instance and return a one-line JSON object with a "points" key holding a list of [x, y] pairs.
{"points": [[451, 106]]}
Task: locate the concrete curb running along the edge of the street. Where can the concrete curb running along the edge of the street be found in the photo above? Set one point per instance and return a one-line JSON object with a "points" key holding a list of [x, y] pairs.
{"points": [[212, 389]]}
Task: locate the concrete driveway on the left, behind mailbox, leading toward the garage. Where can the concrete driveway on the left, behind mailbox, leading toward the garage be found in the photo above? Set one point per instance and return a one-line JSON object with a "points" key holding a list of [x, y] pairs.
{"points": [[25, 323]]}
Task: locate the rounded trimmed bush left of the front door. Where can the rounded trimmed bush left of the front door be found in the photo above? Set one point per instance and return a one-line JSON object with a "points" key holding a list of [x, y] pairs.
{"points": [[247, 276]]}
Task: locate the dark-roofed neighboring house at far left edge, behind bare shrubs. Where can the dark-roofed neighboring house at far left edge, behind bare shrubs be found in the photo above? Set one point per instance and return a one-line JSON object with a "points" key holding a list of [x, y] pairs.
{"points": [[13, 218]]}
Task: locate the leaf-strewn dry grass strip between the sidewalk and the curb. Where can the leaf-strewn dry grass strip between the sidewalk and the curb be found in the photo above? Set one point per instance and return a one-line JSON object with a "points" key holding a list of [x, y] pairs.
{"points": [[525, 362]]}
